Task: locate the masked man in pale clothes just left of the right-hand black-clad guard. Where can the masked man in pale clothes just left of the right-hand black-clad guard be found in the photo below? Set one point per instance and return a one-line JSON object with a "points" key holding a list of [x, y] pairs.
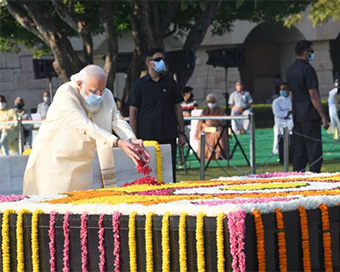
{"points": [[282, 109]]}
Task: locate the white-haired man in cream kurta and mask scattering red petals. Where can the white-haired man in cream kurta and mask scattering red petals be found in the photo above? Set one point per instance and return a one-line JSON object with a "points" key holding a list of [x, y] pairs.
{"points": [[80, 121]]}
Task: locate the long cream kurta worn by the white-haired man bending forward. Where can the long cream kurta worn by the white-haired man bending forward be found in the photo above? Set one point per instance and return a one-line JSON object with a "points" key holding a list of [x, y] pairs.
{"points": [[63, 150]]}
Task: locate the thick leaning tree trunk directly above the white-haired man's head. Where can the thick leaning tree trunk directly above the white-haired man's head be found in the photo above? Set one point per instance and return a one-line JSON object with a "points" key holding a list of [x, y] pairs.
{"points": [[66, 60]]}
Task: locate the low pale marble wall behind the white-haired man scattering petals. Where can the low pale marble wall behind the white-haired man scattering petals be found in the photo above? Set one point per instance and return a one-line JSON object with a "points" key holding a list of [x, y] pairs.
{"points": [[13, 169]]}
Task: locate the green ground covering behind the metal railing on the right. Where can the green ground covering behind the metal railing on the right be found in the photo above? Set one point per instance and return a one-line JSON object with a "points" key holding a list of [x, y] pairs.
{"points": [[265, 160]]}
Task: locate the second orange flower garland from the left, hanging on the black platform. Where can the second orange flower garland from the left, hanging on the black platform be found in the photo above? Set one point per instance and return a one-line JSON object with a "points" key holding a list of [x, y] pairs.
{"points": [[281, 240]]}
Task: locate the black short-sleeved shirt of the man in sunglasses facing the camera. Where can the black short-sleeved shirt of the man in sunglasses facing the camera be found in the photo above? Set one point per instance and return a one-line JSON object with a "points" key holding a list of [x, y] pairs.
{"points": [[155, 101]]}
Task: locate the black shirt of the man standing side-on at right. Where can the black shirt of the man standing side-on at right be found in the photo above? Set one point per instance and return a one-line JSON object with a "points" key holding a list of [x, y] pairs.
{"points": [[301, 77]]}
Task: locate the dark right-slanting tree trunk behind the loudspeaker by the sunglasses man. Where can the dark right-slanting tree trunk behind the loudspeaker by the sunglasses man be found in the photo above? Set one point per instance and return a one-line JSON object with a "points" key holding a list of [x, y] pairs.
{"points": [[196, 36]]}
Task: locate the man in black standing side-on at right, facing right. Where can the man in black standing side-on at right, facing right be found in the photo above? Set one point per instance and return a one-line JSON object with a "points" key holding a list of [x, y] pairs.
{"points": [[308, 112]]}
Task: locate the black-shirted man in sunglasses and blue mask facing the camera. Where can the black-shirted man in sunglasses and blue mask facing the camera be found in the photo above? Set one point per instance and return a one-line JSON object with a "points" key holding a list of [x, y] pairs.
{"points": [[155, 106]]}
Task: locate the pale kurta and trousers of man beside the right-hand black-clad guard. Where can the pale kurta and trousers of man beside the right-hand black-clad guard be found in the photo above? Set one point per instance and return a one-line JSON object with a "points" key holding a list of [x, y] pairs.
{"points": [[281, 106]]}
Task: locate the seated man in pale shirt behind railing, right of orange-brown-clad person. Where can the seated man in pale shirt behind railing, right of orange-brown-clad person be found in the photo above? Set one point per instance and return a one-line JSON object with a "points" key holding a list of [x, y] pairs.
{"points": [[240, 103]]}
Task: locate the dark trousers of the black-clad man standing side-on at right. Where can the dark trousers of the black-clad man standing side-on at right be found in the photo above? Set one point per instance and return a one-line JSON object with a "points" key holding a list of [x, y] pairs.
{"points": [[307, 150]]}
